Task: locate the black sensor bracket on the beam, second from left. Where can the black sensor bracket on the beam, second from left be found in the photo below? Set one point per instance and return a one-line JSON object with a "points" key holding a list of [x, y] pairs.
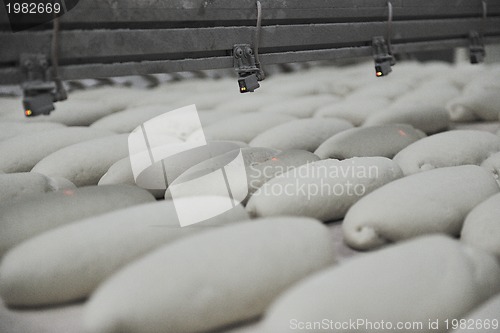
{"points": [[245, 65]]}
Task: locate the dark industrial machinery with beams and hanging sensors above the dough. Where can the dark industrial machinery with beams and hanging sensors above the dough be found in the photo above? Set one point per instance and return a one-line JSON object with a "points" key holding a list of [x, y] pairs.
{"points": [[127, 37]]}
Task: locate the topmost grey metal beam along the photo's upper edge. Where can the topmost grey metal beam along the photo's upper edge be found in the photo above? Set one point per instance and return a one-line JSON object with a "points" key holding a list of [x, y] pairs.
{"points": [[151, 13]]}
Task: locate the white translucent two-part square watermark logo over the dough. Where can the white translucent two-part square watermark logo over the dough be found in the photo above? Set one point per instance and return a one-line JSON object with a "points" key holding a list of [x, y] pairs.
{"points": [[156, 147]]}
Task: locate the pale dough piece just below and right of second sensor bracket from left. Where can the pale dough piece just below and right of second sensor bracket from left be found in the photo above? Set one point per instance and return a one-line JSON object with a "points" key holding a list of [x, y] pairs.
{"points": [[301, 107]]}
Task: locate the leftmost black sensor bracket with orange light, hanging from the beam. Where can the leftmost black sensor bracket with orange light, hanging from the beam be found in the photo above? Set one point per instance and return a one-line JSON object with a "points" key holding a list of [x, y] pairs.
{"points": [[39, 92]]}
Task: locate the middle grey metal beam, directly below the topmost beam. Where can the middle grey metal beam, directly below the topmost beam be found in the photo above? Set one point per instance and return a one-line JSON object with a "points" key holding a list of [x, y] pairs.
{"points": [[167, 44]]}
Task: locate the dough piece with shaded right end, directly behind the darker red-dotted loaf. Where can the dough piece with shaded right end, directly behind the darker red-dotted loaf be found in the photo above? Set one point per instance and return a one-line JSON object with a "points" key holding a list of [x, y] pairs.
{"points": [[429, 119]]}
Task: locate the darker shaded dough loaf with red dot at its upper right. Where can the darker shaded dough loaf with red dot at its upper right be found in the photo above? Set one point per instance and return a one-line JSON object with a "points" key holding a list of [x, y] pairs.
{"points": [[383, 140]]}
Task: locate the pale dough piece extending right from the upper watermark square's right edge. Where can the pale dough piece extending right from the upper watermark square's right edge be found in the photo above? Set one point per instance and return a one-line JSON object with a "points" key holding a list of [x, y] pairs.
{"points": [[243, 127]]}
